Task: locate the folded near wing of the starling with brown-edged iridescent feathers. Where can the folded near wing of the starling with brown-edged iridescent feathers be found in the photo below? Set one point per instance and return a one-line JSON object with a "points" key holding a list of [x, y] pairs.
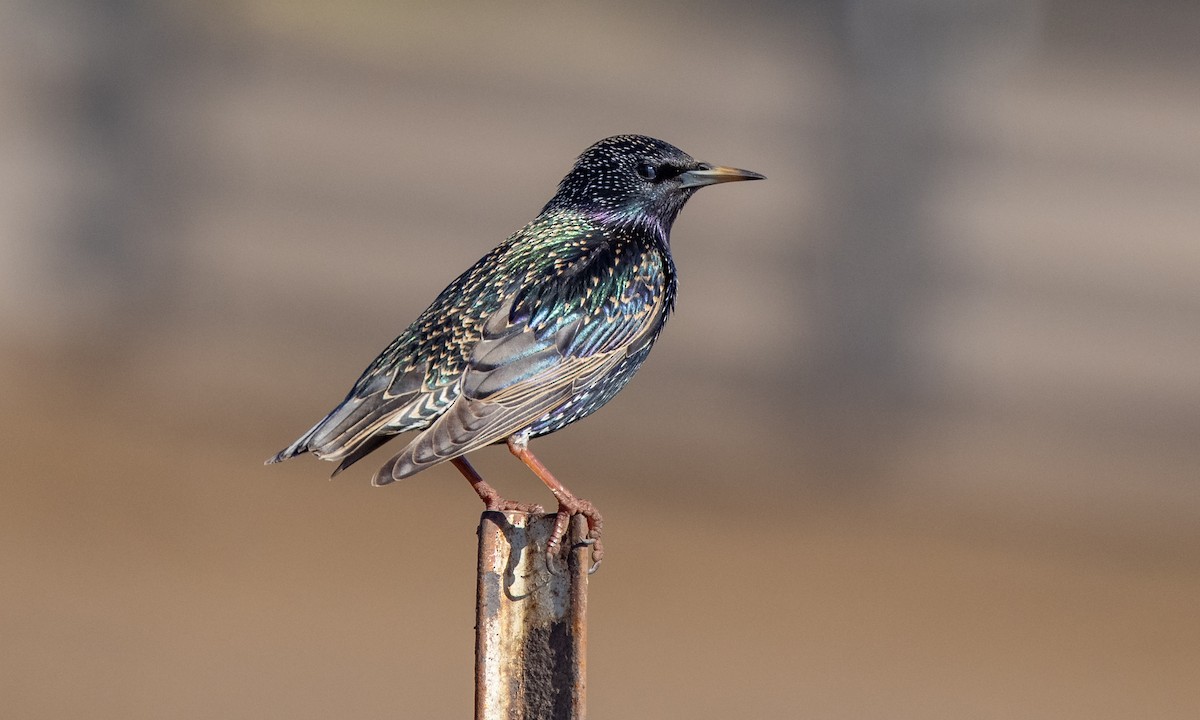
{"points": [[545, 345]]}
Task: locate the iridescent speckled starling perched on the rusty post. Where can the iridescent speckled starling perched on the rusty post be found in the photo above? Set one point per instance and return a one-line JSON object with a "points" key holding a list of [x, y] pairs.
{"points": [[542, 332]]}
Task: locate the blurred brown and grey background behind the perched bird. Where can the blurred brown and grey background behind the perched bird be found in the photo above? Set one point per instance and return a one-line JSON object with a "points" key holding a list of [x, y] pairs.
{"points": [[921, 441]]}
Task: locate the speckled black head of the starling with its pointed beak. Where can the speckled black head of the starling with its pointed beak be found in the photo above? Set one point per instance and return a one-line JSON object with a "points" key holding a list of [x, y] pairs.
{"points": [[638, 179]]}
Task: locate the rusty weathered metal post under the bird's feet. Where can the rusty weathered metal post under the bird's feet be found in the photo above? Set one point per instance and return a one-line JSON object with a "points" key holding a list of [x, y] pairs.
{"points": [[531, 620]]}
